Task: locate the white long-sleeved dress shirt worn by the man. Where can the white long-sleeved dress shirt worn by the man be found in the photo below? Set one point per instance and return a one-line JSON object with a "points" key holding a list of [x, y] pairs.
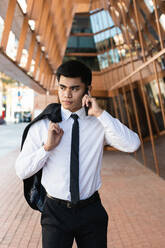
{"points": [[94, 134]]}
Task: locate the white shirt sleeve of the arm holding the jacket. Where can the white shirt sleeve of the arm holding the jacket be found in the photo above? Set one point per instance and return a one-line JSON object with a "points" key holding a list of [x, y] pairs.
{"points": [[33, 156]]}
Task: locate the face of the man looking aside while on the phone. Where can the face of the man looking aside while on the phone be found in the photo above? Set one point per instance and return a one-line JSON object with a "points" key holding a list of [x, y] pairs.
{"points": [[70, 92]]}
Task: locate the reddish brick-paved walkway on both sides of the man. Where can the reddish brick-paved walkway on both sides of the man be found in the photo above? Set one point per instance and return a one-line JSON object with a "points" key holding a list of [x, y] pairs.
{"points": [[132, 195]]}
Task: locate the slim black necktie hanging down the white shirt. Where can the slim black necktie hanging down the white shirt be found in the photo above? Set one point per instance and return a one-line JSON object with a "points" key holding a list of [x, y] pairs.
{"points": [[74, 162]]}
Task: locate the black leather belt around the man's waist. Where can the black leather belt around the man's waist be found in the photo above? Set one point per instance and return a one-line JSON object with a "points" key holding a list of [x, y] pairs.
{"points": [[82, 203]]}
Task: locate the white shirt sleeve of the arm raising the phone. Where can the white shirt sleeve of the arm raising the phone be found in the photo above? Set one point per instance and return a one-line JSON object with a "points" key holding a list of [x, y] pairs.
{"points": [[117, 134]]}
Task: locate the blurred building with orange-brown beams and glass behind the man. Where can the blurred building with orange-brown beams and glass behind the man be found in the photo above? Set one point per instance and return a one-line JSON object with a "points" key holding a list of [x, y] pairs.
{"points": [[122, 41]]}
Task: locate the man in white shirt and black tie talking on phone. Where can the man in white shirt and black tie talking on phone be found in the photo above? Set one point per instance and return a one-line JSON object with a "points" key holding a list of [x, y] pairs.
{"points": [[70, 154]]}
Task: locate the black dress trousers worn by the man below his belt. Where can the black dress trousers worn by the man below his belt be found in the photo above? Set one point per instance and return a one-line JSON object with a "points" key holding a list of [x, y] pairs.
{"points": [[87, 224]]}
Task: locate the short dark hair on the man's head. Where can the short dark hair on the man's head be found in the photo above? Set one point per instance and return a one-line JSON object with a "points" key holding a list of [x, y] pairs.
{"points": [[74, 68]]}
